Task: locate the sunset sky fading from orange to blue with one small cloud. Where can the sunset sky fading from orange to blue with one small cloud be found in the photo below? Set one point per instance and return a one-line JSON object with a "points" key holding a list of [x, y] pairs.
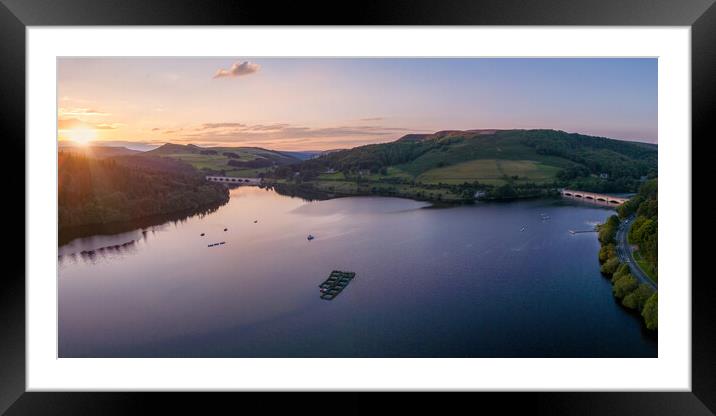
{"points": [[332, 103]]}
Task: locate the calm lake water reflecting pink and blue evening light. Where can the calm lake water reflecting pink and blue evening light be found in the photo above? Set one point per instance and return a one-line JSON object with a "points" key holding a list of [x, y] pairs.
{"points": [[453, 282]]}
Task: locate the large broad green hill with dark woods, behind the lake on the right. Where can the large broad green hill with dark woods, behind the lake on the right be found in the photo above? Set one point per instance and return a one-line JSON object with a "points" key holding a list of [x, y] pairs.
{"points": [[501, 162]]}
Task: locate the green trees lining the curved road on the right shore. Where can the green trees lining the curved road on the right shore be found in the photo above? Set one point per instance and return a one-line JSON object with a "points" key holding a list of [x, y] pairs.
{"points": [[643, 232]]}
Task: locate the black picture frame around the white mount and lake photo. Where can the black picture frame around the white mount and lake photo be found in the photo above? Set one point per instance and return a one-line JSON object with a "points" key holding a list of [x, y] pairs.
{"points": [[15, 15]]}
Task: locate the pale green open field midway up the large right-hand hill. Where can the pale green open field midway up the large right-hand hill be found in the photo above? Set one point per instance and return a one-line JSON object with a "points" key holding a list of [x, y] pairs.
{"points": [[491, 172]]}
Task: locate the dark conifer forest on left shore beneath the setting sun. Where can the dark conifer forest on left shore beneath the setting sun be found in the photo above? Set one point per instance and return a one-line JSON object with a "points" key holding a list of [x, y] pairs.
{"points": [[100, 191]]}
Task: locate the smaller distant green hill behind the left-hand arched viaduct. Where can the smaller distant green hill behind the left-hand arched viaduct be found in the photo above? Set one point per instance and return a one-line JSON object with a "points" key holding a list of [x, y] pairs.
{"points": [[228, 161]]}
